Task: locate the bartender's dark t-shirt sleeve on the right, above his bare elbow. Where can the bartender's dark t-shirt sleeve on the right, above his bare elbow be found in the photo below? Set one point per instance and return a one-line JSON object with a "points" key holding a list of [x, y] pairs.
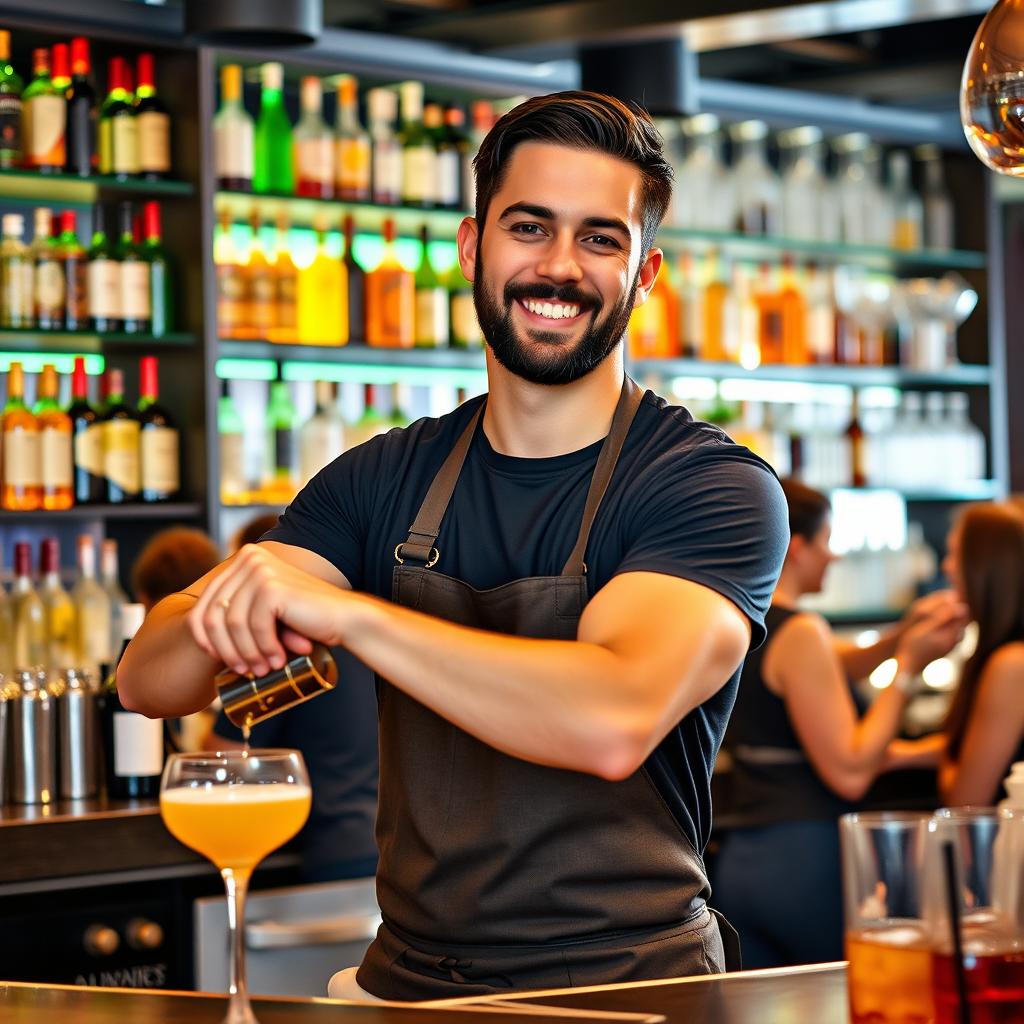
{"points": [[717, 518]]}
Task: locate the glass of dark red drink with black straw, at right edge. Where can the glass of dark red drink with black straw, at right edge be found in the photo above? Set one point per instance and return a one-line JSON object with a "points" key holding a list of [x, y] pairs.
{"points": [[988, 850]]}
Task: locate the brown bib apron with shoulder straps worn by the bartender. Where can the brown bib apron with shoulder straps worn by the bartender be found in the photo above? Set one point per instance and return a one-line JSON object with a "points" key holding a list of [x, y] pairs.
{"points": [[500, 875]]}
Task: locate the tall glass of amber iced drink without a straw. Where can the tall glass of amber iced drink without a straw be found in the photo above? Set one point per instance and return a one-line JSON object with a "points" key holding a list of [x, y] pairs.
{"points": [[887, 942]]}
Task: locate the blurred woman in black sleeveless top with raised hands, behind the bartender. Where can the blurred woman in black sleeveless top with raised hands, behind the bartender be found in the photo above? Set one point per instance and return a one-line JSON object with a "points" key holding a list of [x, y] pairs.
{"points": [[802, 756]]}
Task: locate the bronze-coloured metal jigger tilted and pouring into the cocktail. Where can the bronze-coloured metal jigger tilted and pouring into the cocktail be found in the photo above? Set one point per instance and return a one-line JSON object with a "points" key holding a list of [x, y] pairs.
{"points": [[248, 700]]}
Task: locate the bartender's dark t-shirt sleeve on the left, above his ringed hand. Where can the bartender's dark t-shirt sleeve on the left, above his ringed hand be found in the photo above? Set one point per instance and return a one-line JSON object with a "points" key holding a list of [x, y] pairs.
{"points": [[330, 516]]}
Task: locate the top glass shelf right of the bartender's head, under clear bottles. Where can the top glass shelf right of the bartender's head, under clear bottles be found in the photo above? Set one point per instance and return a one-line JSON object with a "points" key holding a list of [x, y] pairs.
{"points": [[878, 258]]}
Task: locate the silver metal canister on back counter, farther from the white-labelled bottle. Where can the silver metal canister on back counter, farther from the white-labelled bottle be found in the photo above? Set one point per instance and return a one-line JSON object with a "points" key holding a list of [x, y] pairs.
{"points": [[33, 740]]}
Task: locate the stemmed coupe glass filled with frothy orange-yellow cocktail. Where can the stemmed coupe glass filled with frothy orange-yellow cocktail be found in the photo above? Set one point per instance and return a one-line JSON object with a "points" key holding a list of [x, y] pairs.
{"points": [[236, 807]]}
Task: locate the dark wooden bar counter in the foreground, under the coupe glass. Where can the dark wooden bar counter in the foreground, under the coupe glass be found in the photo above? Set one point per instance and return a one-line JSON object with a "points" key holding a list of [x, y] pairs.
{"points": [[802, 996]]}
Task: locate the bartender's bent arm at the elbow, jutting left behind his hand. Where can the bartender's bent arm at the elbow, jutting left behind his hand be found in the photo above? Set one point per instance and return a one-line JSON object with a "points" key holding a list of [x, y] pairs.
{"points": [[164, 674]]}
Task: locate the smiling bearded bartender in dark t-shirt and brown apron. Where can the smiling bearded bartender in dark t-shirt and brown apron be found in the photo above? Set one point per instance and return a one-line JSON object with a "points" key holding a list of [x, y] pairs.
{"points": [[556, 584]]}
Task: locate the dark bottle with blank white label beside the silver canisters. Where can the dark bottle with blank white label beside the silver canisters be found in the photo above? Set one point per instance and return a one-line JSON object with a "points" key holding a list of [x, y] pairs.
{"points": [[134, 745]]}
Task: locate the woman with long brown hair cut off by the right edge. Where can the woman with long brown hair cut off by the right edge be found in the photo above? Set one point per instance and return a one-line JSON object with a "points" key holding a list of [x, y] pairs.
{"points": [[986, 728]]}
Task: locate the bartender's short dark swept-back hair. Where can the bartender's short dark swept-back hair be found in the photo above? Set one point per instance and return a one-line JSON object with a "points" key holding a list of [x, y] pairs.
{"points": [[583, 121]]}
